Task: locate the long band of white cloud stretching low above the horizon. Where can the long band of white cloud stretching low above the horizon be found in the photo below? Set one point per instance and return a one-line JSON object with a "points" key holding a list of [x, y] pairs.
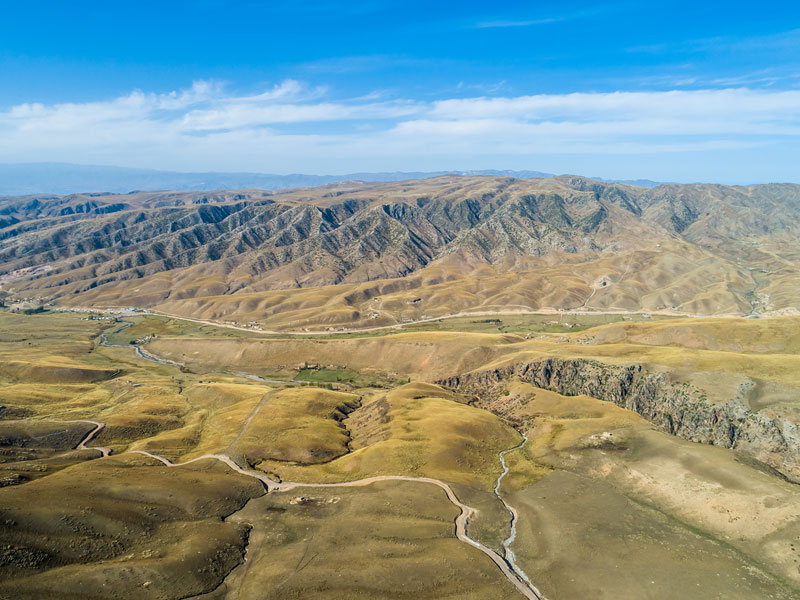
{"points": [[291, 127]]}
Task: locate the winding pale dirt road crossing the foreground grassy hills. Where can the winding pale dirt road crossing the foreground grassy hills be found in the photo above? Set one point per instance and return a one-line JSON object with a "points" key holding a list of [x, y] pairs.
{"points": [[462, 520]]}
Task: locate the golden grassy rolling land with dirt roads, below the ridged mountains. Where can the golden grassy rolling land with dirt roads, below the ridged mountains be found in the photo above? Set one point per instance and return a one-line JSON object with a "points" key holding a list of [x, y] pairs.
{"points": [[161, 457]]}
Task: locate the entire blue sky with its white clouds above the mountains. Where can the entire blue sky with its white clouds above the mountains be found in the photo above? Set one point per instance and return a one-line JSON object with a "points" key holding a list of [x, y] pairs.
{"points": [[679, 91]]}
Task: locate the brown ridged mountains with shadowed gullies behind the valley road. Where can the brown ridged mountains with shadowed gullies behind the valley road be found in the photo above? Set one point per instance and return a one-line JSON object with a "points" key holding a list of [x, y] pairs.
{"points": [[319, 255]]}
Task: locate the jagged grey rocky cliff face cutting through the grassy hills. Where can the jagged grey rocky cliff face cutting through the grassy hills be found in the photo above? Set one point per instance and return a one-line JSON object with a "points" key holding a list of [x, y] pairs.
{"points": [[677, 408]]}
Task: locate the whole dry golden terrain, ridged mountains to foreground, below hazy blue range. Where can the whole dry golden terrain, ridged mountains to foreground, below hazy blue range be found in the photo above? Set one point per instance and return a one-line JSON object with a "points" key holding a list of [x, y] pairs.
{"points": [[457, 387]]}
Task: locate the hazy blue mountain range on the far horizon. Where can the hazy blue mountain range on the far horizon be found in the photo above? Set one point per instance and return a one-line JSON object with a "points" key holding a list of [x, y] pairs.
{"points": [[65, 178]]}
